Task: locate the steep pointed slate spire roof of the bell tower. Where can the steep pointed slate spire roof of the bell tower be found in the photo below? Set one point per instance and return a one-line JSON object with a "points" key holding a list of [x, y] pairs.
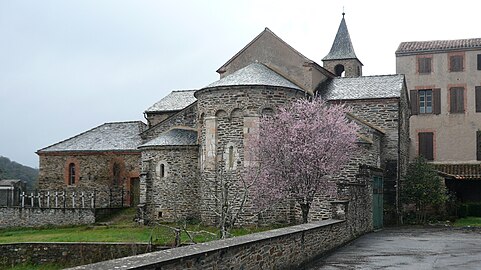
{"points": [[342, 46]]}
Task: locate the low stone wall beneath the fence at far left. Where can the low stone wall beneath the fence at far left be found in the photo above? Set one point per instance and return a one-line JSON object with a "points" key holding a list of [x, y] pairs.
{"points": [[37, 217]]}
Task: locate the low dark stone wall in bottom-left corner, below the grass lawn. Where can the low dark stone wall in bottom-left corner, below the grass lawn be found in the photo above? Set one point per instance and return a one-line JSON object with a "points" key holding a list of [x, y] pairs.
{"points": [[66, 254]]}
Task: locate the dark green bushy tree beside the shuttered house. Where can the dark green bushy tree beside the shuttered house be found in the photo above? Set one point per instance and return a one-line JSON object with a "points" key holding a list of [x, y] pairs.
{"points": [[423, 188]]}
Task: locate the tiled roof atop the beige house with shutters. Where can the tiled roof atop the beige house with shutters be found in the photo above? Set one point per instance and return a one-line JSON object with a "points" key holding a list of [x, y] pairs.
{"points": [[416, 47]]}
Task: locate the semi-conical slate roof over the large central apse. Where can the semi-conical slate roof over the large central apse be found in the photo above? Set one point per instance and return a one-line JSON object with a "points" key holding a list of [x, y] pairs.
{"points": [[254, 74]]}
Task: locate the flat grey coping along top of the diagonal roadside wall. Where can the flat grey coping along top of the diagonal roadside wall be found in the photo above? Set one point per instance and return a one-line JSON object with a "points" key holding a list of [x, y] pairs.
{"points": [[150, 259]]}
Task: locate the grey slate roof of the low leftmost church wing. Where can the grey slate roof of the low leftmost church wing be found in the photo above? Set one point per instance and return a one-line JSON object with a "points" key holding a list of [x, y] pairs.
{"points": [[118, 136]]}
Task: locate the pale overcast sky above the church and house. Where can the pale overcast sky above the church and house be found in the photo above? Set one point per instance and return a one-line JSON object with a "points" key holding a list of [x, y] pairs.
{"points": [[69, 66]]}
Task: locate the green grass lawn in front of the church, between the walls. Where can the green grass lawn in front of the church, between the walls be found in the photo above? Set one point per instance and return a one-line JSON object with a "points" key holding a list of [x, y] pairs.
{"points": [[118, 228]]}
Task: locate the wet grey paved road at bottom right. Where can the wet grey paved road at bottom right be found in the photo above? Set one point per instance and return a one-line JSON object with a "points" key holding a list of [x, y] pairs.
{"points": [[433, 248]]}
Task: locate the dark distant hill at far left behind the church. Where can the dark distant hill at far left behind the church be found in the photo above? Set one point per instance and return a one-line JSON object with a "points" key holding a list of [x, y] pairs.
{"points": [[13, 170]]}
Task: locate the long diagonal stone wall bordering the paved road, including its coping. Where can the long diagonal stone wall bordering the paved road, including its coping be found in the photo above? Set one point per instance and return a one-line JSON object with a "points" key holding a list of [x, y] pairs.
{"points": [[285, 248]]}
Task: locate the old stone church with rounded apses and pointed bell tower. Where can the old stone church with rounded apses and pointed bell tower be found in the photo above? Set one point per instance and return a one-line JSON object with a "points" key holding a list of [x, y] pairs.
{"points": [[193, 137]]}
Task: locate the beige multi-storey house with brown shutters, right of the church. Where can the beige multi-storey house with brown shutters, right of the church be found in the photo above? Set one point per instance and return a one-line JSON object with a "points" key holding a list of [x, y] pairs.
{"points": [[444, 81]]}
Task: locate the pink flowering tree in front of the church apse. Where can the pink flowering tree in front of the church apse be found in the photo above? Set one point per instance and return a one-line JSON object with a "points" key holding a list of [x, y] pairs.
{"points": [[298, 148]]}
